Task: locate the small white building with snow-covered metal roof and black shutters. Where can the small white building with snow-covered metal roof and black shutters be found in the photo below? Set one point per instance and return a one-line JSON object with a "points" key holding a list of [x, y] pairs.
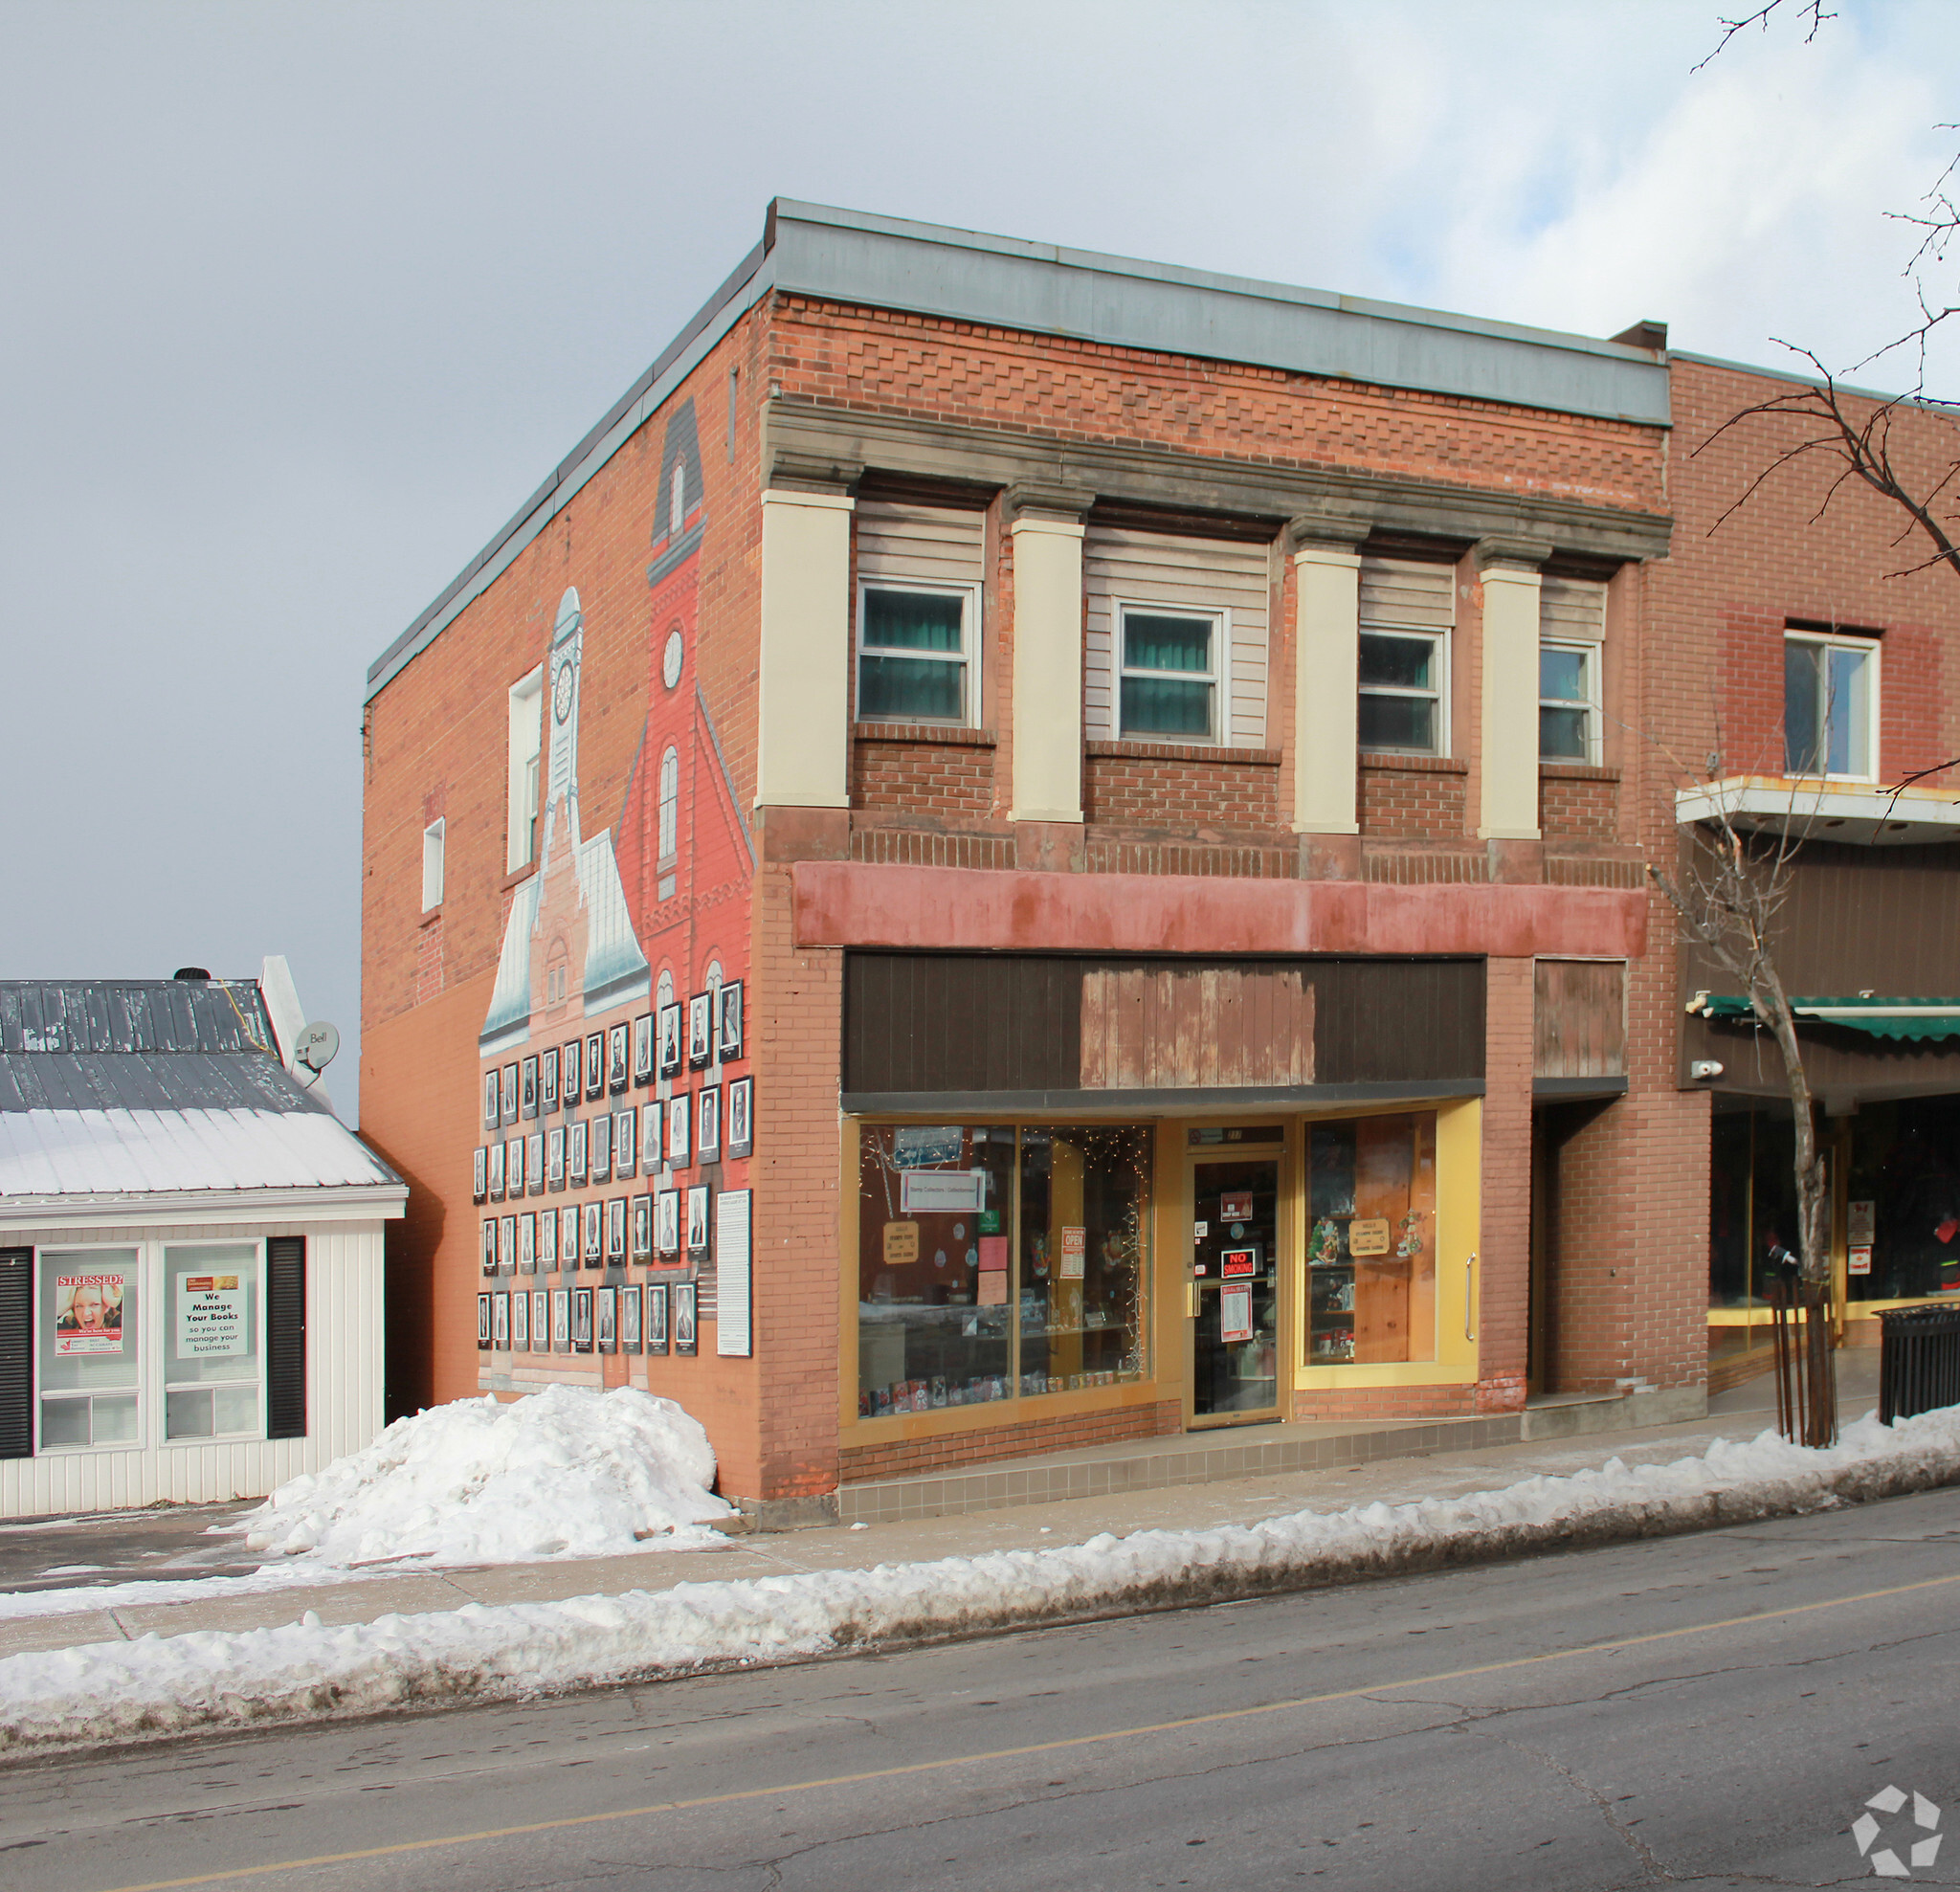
{"points": [[191, 1248]]}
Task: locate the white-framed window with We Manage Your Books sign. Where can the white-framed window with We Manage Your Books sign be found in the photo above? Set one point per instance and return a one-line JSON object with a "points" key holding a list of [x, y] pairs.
{"points": [[213, 1362]]}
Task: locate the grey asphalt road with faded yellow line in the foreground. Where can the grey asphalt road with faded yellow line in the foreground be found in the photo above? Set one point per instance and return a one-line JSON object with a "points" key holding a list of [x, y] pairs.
{"points": [[1698, 1713]]}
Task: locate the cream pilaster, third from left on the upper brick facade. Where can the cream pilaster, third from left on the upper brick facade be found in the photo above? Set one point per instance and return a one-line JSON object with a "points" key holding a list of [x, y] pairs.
{"points": [[1326, 687]]}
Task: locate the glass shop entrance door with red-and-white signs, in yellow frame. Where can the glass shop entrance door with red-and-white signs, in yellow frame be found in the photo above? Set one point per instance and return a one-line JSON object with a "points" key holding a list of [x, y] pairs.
{"points": [[1236, 1289]]}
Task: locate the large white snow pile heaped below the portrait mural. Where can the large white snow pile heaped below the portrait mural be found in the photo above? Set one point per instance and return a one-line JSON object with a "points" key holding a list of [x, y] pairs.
{"points": [[560, 1473]]}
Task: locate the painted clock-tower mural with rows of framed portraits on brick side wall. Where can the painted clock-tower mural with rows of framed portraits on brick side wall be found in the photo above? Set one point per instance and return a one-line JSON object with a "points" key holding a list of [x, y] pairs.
{"points": [[618, 1111]]}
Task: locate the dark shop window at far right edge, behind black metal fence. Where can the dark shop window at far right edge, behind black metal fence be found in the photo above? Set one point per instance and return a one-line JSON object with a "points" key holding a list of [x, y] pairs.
{"points": [[1906, 1195]]}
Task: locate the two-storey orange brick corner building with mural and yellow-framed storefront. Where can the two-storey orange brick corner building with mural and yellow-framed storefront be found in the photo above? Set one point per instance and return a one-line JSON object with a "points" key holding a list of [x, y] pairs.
{"points": [[1128, 1032]]}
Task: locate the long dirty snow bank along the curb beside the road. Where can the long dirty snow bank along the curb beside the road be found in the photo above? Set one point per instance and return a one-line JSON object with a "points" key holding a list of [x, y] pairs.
{"points": [[305, 1671]]}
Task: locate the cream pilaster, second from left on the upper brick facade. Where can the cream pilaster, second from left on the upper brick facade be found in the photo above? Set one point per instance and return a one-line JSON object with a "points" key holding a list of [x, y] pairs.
{"points": [[1048, 670]]}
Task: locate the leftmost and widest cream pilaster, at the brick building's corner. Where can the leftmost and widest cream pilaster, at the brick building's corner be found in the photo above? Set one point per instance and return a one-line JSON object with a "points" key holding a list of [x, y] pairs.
{"points": [[805, 670]]}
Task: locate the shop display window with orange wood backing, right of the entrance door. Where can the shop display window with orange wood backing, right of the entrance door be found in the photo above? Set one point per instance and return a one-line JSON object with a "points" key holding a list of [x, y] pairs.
{"points": [[1373, 1240]]}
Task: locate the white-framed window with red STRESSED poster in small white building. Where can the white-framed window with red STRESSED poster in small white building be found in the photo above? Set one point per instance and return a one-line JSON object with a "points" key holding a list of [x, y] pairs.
{"points": [[91, 1328]]}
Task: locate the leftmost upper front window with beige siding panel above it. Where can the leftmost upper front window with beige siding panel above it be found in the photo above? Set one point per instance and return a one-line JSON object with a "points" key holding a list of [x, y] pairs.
{"points": [[918, 630]]}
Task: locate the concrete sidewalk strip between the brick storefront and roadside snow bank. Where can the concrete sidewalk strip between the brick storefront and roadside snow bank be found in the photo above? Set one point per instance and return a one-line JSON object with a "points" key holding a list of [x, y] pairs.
{"points": [[1738, 1415]]}
